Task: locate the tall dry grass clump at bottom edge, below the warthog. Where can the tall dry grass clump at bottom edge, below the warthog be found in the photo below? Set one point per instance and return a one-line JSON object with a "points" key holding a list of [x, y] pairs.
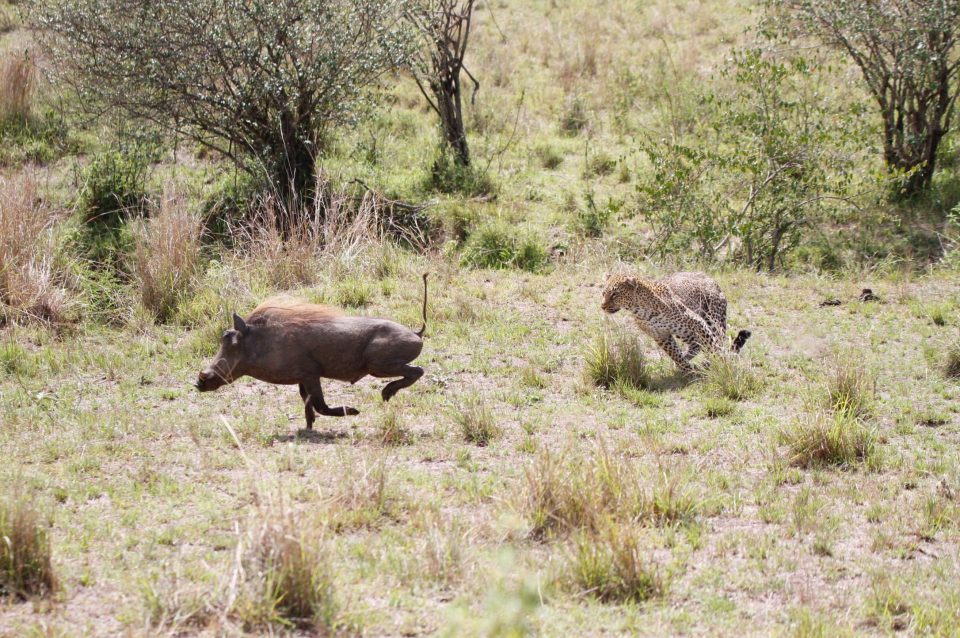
{"points": [[283, 575]]}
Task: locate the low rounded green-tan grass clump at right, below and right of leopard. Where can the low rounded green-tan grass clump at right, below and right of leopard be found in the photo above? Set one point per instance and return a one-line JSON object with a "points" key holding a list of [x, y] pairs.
{"points": [[830, 439]]}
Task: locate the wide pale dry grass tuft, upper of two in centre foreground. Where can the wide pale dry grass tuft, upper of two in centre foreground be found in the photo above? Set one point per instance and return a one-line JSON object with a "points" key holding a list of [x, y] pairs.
{"points": [[585, 493]]}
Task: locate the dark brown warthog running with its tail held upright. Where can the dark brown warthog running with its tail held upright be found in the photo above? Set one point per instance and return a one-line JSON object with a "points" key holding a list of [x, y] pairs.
{"points": [[290, 342]]}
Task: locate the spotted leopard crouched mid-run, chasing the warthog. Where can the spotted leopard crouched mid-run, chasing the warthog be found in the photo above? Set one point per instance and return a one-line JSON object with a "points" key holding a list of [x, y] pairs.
{"points": [[686, 305]]}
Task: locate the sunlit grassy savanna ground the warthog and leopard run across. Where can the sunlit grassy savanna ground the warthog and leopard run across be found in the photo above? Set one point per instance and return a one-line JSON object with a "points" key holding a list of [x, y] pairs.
{"points": [[810, 486]]}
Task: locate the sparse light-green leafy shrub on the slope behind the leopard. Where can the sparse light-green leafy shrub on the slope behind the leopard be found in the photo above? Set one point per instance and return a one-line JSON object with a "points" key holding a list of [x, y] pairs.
{"points": [[782, 158]]}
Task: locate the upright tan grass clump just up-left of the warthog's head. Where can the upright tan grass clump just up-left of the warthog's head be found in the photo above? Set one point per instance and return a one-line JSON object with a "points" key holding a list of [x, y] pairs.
{"points": [[166, 256]]}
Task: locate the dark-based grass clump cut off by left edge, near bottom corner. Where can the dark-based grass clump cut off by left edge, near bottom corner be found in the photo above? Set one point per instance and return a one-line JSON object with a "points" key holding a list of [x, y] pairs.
{"points": [[26, 569]]}
